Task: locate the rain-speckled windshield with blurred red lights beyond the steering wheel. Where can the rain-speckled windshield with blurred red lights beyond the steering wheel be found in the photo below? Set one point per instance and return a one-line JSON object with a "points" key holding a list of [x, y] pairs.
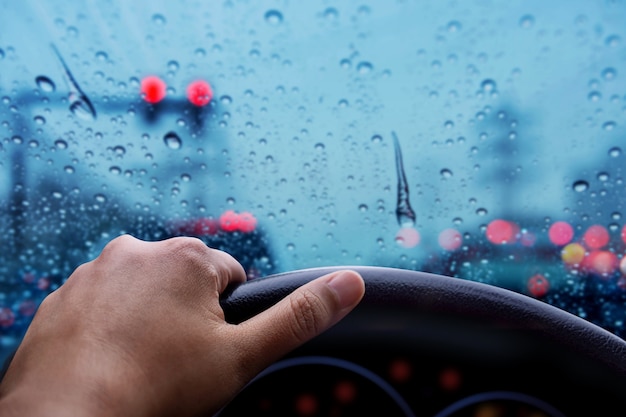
{"points": [[481, 140]]}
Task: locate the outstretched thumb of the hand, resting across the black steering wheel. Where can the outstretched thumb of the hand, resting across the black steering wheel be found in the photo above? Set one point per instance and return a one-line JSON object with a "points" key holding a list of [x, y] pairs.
{"points": [[306, 312]]}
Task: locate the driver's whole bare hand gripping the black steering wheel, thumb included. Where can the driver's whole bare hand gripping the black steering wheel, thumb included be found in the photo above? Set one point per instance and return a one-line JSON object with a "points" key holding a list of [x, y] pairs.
{"points": [[139, 331]]}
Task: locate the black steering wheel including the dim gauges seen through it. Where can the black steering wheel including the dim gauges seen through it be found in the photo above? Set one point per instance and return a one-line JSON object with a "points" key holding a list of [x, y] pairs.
{"points": [[431, 345]]}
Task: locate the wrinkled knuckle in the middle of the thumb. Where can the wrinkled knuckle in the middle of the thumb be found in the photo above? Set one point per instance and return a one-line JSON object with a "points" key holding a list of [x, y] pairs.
{"points": [[309, 312]]}
